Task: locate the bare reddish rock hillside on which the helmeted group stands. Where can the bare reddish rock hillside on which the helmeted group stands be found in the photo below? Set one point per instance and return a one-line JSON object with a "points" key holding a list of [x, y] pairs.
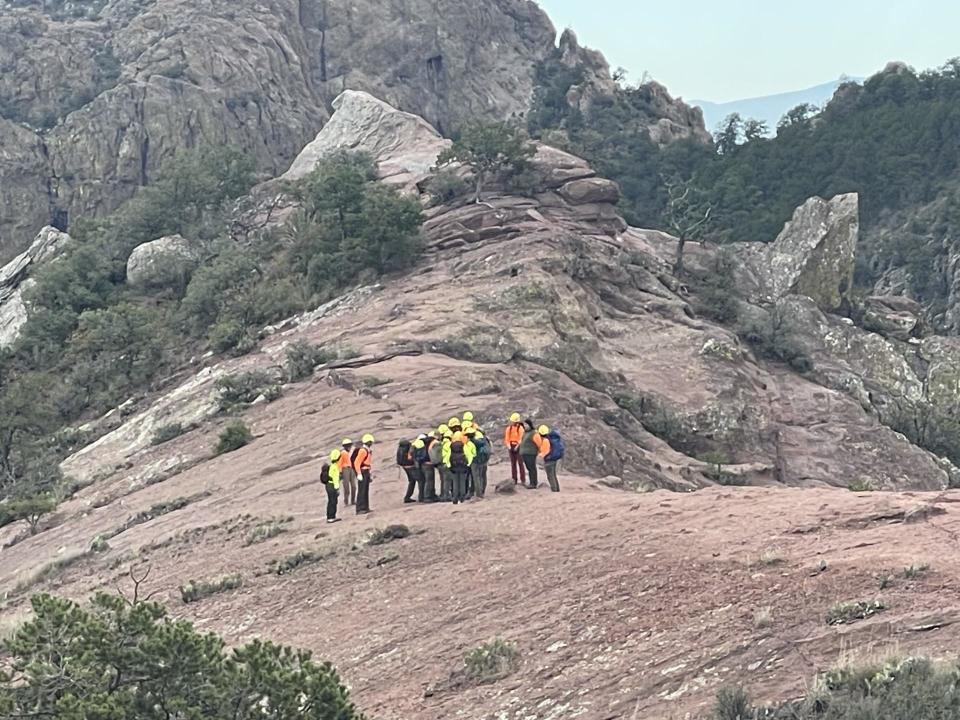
{"points": [[576, 319]]}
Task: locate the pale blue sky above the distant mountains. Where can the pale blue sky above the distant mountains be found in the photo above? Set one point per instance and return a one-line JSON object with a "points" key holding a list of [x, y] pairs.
{"points": [[723, 51]]}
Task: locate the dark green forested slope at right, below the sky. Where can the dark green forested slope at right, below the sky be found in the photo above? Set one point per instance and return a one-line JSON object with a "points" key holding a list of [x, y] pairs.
{"points": [[895, 140]]}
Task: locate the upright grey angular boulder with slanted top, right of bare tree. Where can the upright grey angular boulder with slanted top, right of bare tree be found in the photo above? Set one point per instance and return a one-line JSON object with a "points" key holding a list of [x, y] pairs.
{"points": [[813, 256]]}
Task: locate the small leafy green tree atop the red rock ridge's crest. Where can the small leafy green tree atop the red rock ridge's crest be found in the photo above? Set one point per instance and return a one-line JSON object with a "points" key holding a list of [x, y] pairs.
{"points": [[489, 149]]}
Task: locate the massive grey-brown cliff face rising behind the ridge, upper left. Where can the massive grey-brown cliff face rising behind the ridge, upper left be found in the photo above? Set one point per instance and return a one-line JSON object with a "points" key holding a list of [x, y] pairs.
{"points": [[96, 95]]}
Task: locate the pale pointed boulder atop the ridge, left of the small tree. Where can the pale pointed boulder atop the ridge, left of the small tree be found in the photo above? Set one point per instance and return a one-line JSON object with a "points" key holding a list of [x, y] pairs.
{"points": [[404, 146]]}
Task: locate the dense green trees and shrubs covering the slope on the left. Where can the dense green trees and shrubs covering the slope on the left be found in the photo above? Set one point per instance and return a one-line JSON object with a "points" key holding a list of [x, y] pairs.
{"points": [[92, 341]]}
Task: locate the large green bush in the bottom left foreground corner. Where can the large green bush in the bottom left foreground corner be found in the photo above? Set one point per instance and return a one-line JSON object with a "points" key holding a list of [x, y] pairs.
{"points": [[167, 664]]}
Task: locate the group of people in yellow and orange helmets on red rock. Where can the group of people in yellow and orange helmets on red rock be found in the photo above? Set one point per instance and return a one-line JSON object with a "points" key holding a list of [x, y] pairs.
{"points": [[456, 454]]}
